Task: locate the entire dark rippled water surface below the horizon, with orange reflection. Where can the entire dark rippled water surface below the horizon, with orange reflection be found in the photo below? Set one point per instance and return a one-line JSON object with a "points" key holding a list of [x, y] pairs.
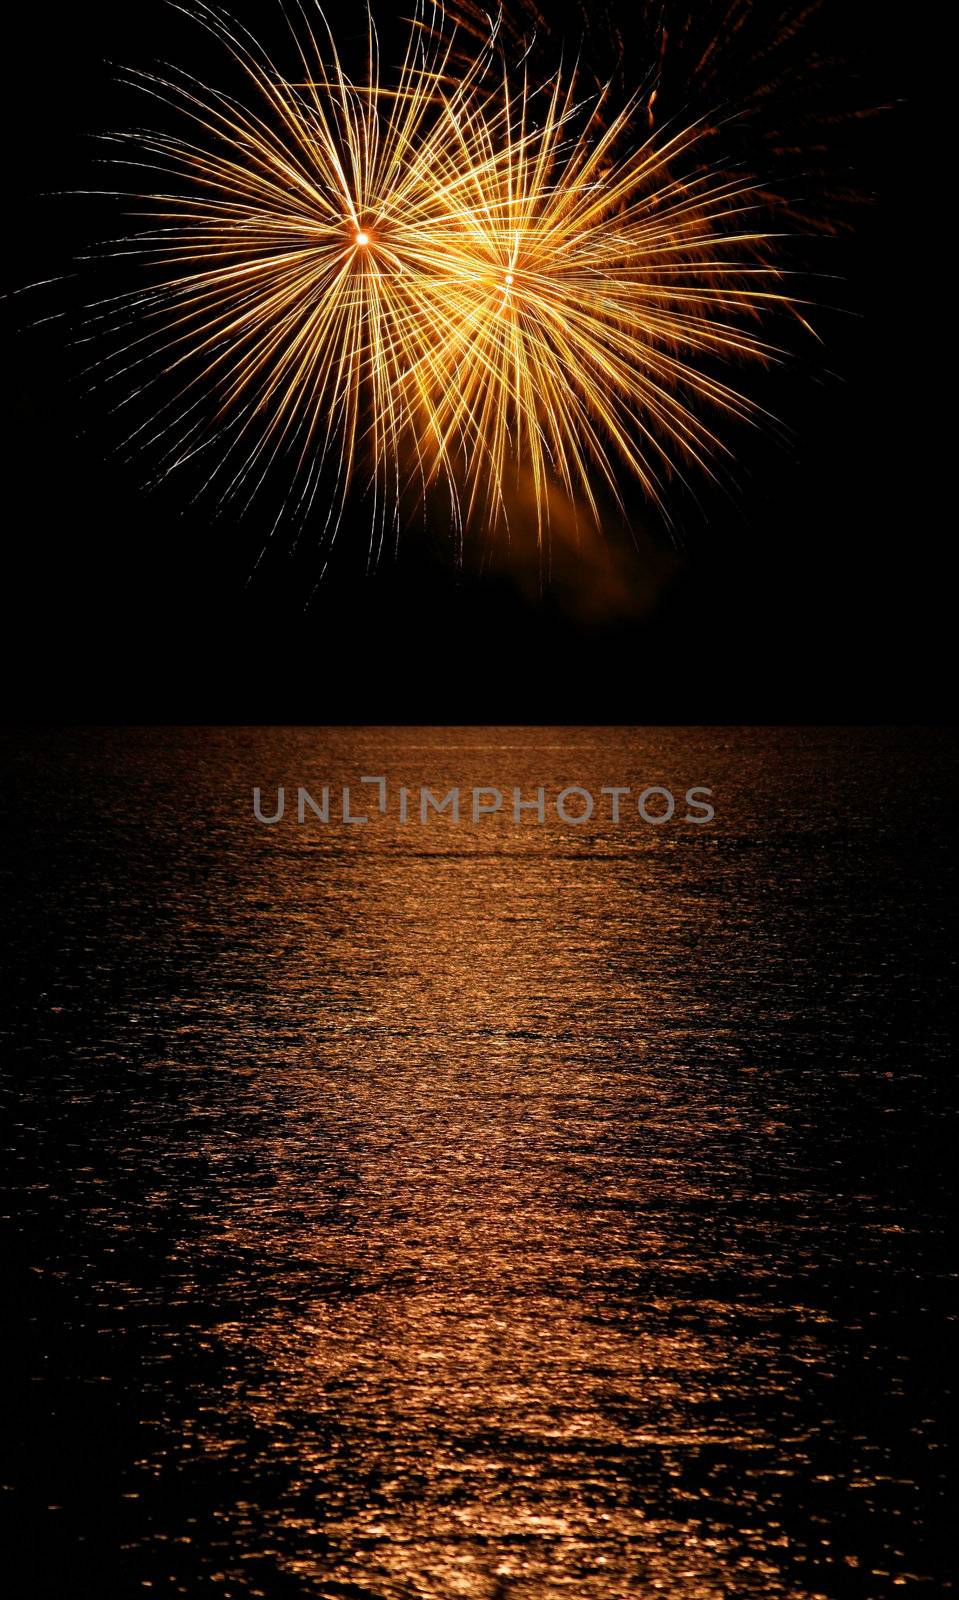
{"points": [[478, 1212]]}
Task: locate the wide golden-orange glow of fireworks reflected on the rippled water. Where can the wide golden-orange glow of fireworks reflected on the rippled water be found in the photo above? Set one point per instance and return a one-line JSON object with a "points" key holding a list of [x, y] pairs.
{"points": [[508, 1214]]}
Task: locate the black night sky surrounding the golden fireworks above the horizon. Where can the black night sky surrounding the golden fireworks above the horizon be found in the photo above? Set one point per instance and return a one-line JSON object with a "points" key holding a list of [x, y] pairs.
{"points": [[814, 590]]}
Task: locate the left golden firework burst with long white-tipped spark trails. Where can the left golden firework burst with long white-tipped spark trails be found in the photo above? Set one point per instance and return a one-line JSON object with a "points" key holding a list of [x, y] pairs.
{"points": [[276, 302]]}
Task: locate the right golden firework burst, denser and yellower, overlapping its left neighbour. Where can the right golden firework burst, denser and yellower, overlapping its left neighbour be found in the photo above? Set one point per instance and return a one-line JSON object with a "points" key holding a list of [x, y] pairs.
{"points": [[588, 289]]}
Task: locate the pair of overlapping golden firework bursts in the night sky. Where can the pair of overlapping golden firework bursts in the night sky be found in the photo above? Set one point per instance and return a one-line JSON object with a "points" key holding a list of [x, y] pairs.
{"points": [[447, 278]]}
